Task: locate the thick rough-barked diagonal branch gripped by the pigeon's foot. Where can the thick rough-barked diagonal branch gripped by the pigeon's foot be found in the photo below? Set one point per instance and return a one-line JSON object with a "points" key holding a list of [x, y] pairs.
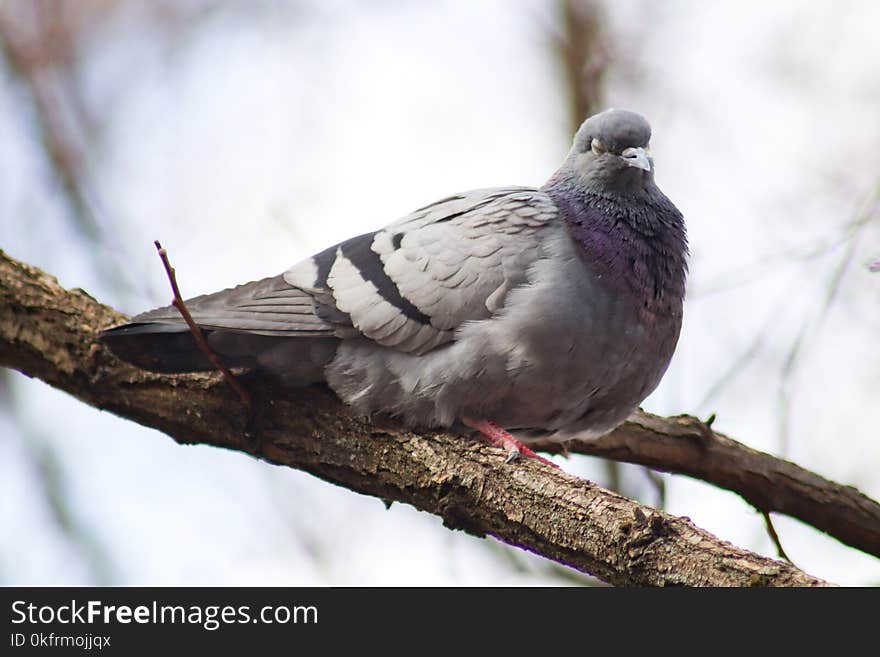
{"points": [[50, 333]]}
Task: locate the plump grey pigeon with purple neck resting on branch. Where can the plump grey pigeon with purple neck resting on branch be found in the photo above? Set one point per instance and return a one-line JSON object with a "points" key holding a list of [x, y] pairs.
{"points": [[545, 312]]}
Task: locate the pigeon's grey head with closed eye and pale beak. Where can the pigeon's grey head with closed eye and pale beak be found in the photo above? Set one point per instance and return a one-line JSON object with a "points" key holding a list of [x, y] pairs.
{"points": [[610, 152]]}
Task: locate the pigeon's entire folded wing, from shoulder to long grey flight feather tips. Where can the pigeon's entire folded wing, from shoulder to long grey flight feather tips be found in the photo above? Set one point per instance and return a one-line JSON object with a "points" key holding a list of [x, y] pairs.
{"points": [[407, 286]]}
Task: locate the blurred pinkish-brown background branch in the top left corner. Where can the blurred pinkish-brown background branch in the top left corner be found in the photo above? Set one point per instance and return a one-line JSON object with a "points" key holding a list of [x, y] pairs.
{"points": [[42, 42]]}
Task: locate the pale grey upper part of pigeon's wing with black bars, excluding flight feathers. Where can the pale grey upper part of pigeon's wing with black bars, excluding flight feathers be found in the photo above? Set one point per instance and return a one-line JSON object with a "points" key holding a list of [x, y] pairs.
{"points": [[411, 284]]}
